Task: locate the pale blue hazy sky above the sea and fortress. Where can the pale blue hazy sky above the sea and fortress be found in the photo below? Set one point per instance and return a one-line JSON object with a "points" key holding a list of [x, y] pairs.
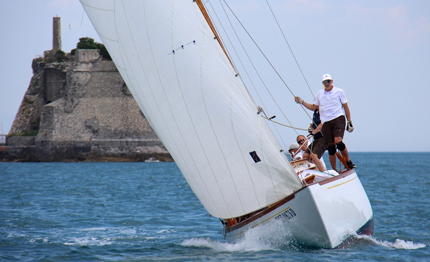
{"points": [[378, 52]]}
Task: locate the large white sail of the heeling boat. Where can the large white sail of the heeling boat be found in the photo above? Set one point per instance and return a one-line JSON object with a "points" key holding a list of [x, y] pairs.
{"points": [[186, 87]]}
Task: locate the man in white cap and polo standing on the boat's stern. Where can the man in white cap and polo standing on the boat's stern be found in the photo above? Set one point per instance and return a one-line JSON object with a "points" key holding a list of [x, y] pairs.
{"points": [[333, 107]]}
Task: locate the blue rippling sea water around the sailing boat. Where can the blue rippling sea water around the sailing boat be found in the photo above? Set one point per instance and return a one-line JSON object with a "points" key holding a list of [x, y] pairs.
{"points": [[147, 212]]}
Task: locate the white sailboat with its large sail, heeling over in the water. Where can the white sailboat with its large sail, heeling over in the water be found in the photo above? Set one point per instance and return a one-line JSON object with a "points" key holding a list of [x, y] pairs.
{"points": [[177, 69]]}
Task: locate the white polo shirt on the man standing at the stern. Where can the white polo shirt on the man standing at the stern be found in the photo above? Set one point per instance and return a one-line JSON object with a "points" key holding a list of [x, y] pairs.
{"points": [[330, 103]]}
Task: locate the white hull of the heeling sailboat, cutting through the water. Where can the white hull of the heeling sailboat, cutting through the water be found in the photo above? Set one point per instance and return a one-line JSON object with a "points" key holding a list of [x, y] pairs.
{"points": [[323, 214]]}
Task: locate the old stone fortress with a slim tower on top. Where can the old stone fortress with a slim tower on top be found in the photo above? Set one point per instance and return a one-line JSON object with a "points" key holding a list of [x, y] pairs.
{"points": [[79, 109]]}
